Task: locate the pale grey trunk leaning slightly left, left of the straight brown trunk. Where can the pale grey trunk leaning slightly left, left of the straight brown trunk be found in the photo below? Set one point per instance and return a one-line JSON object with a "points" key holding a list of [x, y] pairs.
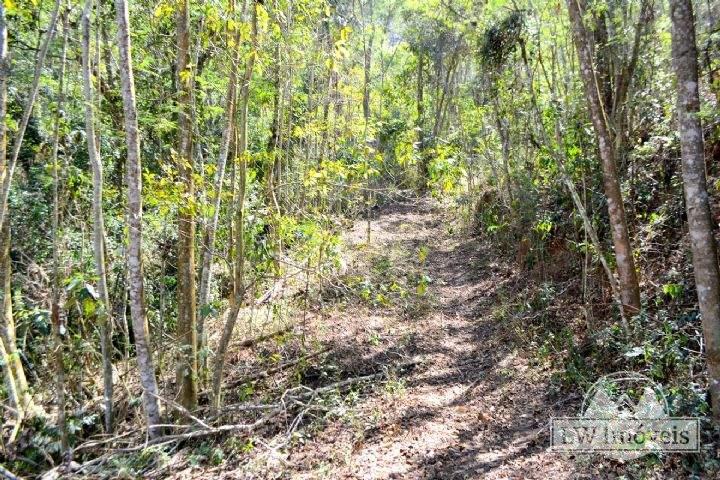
{"points": [[134, 180]]}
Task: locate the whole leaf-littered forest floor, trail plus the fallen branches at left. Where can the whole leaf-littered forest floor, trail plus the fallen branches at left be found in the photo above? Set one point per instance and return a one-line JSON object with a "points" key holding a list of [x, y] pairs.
{"points": [[416, 359]]}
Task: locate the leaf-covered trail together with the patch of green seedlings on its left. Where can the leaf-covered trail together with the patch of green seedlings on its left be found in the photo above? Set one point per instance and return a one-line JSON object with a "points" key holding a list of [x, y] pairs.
{"points": [[474, 405]]}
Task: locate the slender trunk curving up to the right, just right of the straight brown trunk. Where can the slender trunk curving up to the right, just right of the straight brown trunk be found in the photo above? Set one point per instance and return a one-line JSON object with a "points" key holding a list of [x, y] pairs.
{"points": [[239, 229]]}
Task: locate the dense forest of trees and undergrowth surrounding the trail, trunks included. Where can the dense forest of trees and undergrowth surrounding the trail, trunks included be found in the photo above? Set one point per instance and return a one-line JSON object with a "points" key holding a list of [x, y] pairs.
{"points": [[171, 168]]}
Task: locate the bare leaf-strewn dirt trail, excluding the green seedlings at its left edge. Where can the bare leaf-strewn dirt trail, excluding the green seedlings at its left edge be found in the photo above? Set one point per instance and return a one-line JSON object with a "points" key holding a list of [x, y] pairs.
{"points": [[474, 408]]}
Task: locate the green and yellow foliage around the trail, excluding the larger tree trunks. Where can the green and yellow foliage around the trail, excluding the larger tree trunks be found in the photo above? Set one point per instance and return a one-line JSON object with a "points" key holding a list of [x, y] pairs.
{"points": [[337, 126]]}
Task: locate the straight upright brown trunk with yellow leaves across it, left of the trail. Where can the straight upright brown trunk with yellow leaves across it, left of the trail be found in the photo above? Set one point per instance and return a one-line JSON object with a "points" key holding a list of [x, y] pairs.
{"points": [[187, 318]]}
